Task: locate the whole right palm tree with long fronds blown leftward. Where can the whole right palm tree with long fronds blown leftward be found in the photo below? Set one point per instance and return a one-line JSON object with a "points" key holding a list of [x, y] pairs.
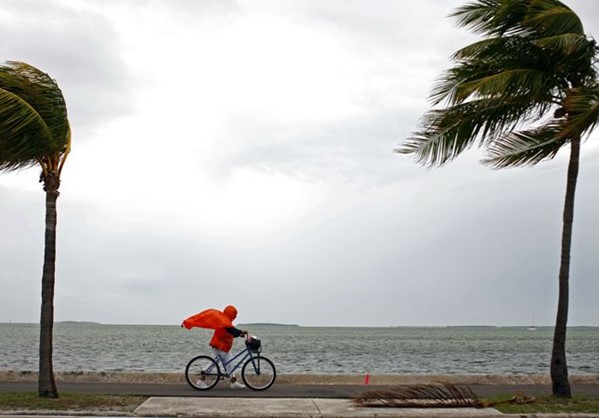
{"points": [[523, 92]]}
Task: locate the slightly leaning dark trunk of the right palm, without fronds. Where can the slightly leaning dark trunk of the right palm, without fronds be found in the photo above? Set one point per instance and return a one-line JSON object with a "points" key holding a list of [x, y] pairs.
{"points": [[559, 367]]}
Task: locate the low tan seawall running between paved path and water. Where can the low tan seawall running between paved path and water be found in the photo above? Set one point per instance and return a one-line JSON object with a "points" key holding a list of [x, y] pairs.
{"points": [[304, 379]]}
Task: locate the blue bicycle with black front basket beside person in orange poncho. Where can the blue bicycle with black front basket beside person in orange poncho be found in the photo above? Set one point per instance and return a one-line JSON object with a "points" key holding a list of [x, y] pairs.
{"points": [[257, 372]]}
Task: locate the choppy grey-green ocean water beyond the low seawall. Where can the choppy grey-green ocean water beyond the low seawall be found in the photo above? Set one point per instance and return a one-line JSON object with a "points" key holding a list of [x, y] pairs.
{"points": [[305, 350]]}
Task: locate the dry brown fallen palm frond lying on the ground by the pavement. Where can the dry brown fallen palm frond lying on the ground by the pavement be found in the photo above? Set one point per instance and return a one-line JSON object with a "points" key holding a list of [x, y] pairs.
{"points": [[443, 395]]}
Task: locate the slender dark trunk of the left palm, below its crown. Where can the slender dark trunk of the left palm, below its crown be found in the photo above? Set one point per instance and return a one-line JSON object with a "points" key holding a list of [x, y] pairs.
{"points": [[46, 383]]}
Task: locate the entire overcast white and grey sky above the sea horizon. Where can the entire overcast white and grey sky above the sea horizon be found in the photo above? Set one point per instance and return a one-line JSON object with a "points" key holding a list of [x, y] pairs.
{"points": [[241, 152]]}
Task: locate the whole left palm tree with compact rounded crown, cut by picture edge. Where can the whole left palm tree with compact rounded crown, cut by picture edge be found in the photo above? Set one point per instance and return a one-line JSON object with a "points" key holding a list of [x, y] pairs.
{"points": [[34, 129]]}
